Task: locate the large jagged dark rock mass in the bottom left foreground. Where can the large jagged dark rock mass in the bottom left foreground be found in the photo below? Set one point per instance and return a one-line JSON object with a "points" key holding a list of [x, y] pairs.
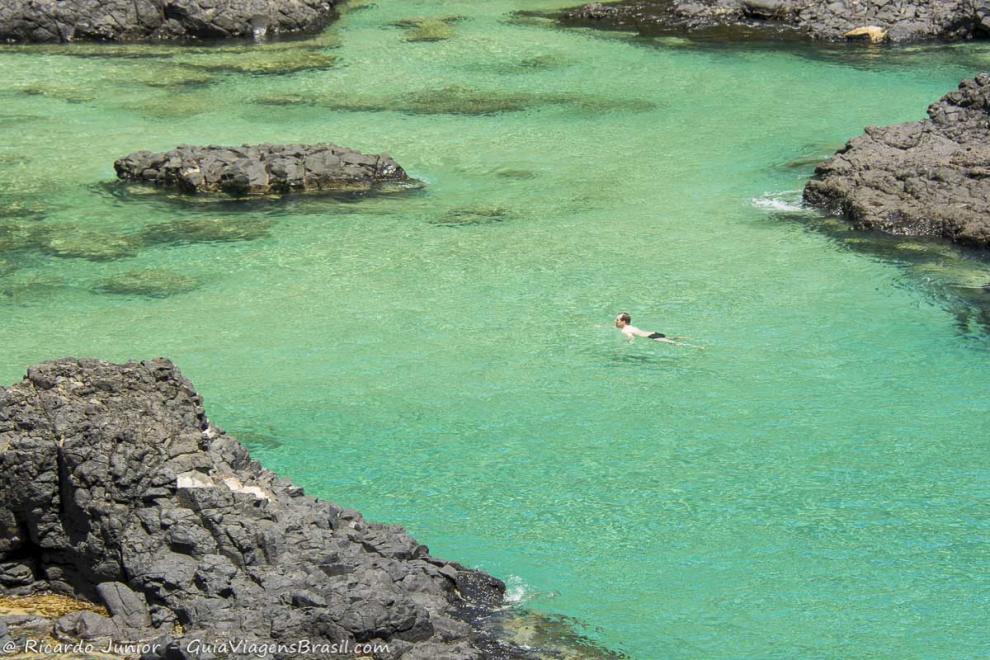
{"points": [[116, 488]]}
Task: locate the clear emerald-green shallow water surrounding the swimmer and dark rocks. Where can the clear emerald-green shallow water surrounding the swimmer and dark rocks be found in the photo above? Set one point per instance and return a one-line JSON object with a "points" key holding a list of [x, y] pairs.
{"points": [[815, 483]]}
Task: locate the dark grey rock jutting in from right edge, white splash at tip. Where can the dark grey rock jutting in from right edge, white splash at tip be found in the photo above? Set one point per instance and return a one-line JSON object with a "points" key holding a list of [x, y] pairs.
{"points": [[925, 178]]}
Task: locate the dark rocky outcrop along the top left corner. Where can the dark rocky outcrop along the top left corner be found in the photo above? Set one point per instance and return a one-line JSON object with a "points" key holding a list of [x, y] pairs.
{"points": [[37, 21]]}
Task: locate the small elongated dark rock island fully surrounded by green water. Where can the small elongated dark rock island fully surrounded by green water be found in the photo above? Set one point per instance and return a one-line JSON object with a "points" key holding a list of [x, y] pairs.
{"points": [[260, 170]]}
